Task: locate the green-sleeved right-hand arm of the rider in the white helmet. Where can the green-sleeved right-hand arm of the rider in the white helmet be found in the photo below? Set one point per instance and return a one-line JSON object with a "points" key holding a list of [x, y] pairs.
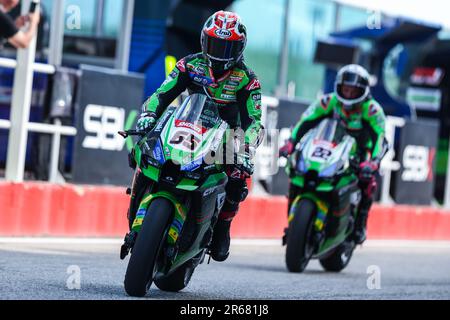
{"points": [[375, 118]]}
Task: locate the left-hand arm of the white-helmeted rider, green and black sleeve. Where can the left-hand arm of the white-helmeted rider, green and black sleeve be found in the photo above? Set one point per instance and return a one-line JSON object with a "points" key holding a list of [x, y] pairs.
{"points": [[312, 117]]}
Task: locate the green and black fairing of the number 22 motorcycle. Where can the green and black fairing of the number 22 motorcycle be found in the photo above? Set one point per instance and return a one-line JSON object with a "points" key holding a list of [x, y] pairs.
{"points": [[322, 170]]}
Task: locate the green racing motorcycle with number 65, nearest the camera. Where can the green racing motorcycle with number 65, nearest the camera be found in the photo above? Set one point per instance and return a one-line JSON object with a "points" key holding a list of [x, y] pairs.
{"points": [[175, 219]]}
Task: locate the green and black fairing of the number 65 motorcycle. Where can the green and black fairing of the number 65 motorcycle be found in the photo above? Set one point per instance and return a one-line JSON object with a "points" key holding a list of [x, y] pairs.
{"points": [[177, 157]]}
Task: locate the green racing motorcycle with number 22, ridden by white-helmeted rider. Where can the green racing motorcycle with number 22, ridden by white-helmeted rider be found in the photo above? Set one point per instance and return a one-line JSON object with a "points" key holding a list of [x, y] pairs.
{"points": [[322, 216]]}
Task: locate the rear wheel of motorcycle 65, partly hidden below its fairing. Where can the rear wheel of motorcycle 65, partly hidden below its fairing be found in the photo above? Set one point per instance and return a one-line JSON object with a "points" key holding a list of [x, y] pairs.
{"points": [[179, 279]]}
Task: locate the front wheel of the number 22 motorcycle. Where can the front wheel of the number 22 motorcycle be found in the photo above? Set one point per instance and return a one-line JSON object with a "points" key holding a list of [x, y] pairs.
{"points": [[299, 248]]}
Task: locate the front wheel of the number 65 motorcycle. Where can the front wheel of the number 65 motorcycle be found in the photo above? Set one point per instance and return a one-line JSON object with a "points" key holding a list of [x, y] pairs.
{"points": [[142, 265]]}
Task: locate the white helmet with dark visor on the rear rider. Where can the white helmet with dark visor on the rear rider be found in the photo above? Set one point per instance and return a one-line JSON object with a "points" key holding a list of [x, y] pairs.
{"points": [[352, 75]]}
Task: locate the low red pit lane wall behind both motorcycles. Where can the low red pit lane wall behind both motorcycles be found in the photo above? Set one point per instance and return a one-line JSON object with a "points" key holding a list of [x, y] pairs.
{"points": [[41, 209]]}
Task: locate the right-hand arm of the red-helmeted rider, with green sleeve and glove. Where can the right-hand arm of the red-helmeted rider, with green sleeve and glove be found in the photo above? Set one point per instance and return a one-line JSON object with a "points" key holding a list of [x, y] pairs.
{"points": [[249, 100]]}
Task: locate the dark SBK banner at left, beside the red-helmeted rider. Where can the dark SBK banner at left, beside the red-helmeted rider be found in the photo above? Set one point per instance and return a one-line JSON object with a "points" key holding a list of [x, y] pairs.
{"points": [[107, 103]]}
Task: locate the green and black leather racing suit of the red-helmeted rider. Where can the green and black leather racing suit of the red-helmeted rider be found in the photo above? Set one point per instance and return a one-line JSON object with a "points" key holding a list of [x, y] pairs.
{"points": [[238, 95]]}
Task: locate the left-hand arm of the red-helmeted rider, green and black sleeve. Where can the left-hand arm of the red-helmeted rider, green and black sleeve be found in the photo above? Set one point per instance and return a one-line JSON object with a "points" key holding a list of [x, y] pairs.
{"points": [[175, 84]]}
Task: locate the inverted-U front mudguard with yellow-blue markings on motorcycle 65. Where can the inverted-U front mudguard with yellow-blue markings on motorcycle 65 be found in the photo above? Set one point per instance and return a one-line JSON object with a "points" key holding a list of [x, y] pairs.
{"points": [[177, 223]]}
